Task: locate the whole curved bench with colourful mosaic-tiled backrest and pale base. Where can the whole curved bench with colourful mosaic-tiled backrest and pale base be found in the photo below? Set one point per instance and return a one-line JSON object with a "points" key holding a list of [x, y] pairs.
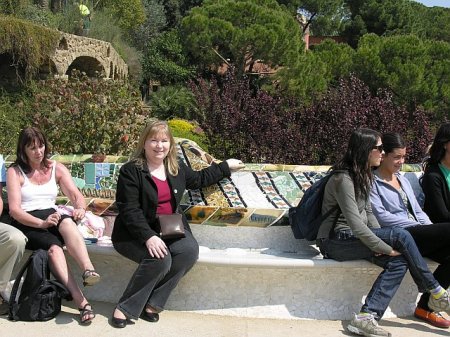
{"points": [[249, 263]]}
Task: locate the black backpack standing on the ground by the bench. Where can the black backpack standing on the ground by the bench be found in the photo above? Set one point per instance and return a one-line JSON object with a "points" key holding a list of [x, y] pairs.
{"points": [[40, 297]]}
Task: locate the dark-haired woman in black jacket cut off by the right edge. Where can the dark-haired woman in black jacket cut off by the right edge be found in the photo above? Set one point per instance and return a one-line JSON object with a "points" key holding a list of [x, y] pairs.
{"points": [[436, 178]]}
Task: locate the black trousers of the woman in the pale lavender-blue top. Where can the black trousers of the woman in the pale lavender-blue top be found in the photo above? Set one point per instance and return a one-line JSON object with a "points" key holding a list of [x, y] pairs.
{"points": [[433, 242]]}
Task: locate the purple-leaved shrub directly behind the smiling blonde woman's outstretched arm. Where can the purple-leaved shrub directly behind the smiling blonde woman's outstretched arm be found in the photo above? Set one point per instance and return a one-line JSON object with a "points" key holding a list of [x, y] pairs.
{"points": [[253, 127]]}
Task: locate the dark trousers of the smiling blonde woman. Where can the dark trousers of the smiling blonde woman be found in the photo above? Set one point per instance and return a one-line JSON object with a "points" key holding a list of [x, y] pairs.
{"points": [[154, 279]]}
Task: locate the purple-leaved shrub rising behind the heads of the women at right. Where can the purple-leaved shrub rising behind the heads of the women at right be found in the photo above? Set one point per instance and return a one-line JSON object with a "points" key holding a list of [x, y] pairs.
{"points": [[329, 123]]}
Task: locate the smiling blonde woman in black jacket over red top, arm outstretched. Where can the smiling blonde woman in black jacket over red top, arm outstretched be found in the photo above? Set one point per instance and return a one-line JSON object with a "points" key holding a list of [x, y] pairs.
{"points": [[152, 184]]}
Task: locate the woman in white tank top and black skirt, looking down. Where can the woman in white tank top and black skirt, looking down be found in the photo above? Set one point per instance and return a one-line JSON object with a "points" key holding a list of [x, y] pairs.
{"points": [[32, 183]]}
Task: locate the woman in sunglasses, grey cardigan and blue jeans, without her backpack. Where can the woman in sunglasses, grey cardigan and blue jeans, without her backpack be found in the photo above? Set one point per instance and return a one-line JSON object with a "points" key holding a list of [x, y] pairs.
{"points": [[352, 232]]}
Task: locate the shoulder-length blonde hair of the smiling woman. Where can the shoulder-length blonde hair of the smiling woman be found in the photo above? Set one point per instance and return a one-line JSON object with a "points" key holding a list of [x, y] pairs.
{"points": [[154, 128]]}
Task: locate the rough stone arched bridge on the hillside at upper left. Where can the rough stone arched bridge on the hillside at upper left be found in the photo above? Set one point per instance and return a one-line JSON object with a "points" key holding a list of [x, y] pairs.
{"points": [[94, 57]]}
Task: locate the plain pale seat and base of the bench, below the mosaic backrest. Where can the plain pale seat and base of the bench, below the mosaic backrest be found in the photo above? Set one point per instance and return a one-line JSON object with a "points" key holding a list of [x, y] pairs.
{"points": [[260, 281]]}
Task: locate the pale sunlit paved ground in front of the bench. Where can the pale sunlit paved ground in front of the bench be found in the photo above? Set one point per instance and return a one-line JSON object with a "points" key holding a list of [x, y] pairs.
{"points": [[187, 324]]}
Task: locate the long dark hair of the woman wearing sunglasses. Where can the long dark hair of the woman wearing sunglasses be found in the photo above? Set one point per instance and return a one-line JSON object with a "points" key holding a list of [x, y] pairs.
{"points": [[356, 159]]}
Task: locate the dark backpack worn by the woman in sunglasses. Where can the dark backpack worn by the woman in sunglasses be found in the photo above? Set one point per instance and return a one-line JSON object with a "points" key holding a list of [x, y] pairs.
{"points": [[306, 218]]}
